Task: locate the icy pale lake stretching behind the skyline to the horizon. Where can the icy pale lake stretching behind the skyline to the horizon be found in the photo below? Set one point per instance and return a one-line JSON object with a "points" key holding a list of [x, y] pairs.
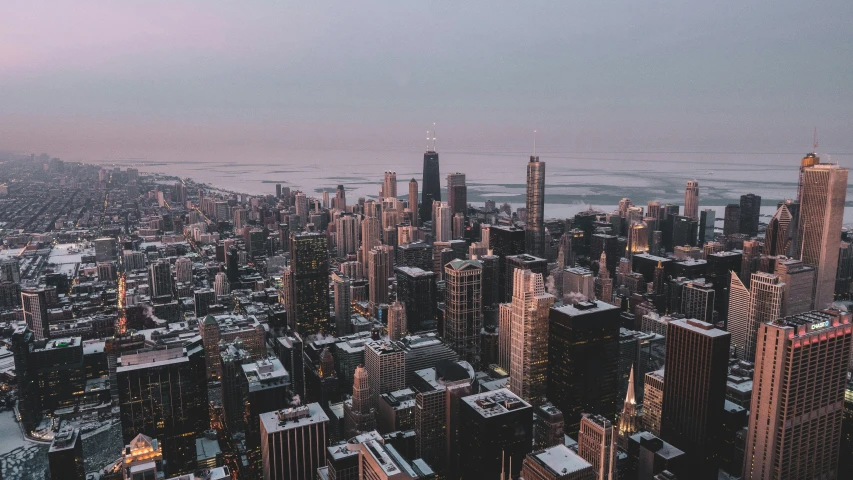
{"points": [[574, 181]]}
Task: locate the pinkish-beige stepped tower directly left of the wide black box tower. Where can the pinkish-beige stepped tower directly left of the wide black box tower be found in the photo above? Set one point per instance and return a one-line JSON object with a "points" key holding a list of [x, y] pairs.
{"points": [[528, 366]]}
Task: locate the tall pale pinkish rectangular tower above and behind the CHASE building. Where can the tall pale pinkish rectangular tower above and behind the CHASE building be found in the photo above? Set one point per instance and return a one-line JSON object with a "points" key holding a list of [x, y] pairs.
{"points": [[821, 215]]}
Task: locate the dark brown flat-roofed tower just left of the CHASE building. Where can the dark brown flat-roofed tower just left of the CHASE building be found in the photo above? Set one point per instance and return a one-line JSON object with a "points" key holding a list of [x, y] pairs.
{"points": [[696, 369]]}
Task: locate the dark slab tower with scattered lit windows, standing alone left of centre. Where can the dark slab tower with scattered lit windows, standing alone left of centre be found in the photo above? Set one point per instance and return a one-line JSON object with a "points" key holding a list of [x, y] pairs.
{"points": [[309, 263]]}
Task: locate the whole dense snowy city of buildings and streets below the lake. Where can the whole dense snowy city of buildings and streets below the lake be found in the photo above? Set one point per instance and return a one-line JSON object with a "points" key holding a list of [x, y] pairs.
{"points": [[285, 335]]}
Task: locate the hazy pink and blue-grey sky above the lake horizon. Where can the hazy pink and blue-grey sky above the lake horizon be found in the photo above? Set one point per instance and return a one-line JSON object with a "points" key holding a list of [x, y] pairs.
{"points": [[192, 81]]}
